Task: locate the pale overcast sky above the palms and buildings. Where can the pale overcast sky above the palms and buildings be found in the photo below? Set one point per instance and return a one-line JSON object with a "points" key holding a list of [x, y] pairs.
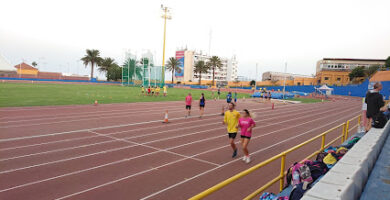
{"points": [[56, 33]]}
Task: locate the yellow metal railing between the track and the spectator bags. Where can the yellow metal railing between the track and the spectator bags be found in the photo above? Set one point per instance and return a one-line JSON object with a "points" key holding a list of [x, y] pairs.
{"points": [[342, 137]]}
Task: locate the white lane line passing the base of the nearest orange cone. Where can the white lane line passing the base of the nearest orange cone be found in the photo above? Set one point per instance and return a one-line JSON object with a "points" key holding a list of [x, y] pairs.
{"points": [[101, 128]]}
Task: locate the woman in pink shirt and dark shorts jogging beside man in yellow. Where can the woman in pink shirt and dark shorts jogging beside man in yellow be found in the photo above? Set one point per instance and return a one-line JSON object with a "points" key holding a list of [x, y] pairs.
{"points": [[246, 124]]}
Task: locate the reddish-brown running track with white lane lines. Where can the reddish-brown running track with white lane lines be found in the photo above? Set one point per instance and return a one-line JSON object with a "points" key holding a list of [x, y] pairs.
{"points": [[123, 151]]}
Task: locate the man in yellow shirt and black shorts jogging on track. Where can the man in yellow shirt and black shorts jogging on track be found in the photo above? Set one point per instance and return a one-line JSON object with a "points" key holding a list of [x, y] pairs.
{"points": [[231, 121]]}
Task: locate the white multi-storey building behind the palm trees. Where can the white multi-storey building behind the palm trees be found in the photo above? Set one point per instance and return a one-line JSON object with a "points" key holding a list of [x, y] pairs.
{"points": [[228, 71]]}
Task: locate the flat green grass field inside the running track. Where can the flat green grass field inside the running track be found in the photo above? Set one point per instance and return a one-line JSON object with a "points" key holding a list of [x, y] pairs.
{"points": [[27, 94]]}
